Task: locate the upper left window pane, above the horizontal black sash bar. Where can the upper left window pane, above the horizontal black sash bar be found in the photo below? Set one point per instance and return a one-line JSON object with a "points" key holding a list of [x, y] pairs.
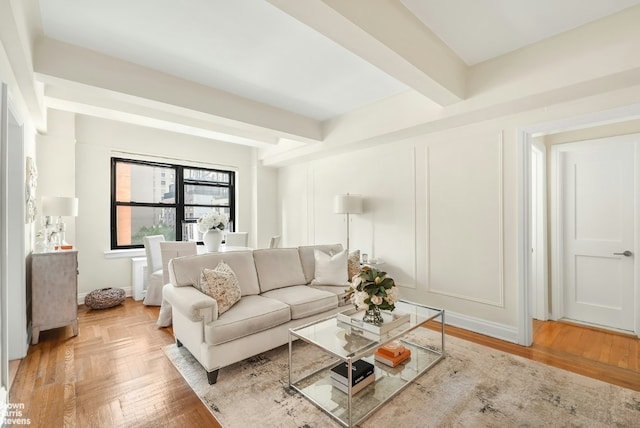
{"points": [[145, 183]]}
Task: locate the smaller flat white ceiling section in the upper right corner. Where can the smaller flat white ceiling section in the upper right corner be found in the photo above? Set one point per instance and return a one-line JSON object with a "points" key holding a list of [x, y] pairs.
{"points": [[478, 30]]}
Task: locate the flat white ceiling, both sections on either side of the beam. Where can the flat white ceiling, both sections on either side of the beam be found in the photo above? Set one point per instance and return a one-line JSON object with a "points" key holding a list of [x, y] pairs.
{"points": [[253, 49]]}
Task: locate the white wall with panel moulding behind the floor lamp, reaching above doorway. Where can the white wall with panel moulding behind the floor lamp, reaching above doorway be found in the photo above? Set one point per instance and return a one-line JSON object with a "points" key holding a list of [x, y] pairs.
{"points": [[442, 209]]}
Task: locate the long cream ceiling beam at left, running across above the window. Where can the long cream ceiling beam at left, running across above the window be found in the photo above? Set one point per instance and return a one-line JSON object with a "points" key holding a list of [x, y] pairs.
{"points": [[64, 65]]}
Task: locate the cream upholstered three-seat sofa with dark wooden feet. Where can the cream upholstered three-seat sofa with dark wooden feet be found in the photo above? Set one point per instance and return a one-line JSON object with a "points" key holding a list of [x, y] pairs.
{"points": [[278, 292]]}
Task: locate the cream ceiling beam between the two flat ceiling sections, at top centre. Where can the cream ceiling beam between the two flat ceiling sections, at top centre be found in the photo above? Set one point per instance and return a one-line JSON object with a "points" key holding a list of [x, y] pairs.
{"points": [[390, 37]]}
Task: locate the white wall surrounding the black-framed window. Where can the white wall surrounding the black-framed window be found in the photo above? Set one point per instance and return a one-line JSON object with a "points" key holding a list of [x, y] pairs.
{"points": [[96, 141]]}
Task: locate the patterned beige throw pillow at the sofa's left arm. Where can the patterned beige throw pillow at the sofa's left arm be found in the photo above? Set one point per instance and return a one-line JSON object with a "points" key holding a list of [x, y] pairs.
{"points": [[220, 283]]}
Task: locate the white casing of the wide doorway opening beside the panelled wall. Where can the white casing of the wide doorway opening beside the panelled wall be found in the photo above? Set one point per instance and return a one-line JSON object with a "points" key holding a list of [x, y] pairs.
{"points": [[525, 136]]}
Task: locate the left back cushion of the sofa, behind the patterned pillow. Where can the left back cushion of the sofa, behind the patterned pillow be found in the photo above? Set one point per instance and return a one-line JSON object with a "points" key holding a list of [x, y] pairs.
{"points": [[184, 271]]}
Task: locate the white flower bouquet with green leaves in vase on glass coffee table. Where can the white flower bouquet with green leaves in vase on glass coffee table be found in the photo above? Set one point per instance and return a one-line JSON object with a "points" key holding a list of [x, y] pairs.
{"points": [[372, 290]]}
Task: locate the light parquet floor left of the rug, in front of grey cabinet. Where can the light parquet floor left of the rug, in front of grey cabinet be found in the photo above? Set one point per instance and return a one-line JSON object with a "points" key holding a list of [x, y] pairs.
{"points": [[113, 374]]}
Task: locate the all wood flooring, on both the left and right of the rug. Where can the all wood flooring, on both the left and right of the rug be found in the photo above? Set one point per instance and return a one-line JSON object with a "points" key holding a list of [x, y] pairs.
{"points": [[114, 373]]}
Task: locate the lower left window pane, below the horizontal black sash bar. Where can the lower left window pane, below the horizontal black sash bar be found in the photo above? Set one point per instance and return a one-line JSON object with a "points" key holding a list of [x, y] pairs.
{"points": [[134, 223]]}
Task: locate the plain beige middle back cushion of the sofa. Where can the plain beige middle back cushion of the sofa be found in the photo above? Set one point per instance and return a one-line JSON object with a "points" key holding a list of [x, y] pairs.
{"points": [[278, 267]]}
